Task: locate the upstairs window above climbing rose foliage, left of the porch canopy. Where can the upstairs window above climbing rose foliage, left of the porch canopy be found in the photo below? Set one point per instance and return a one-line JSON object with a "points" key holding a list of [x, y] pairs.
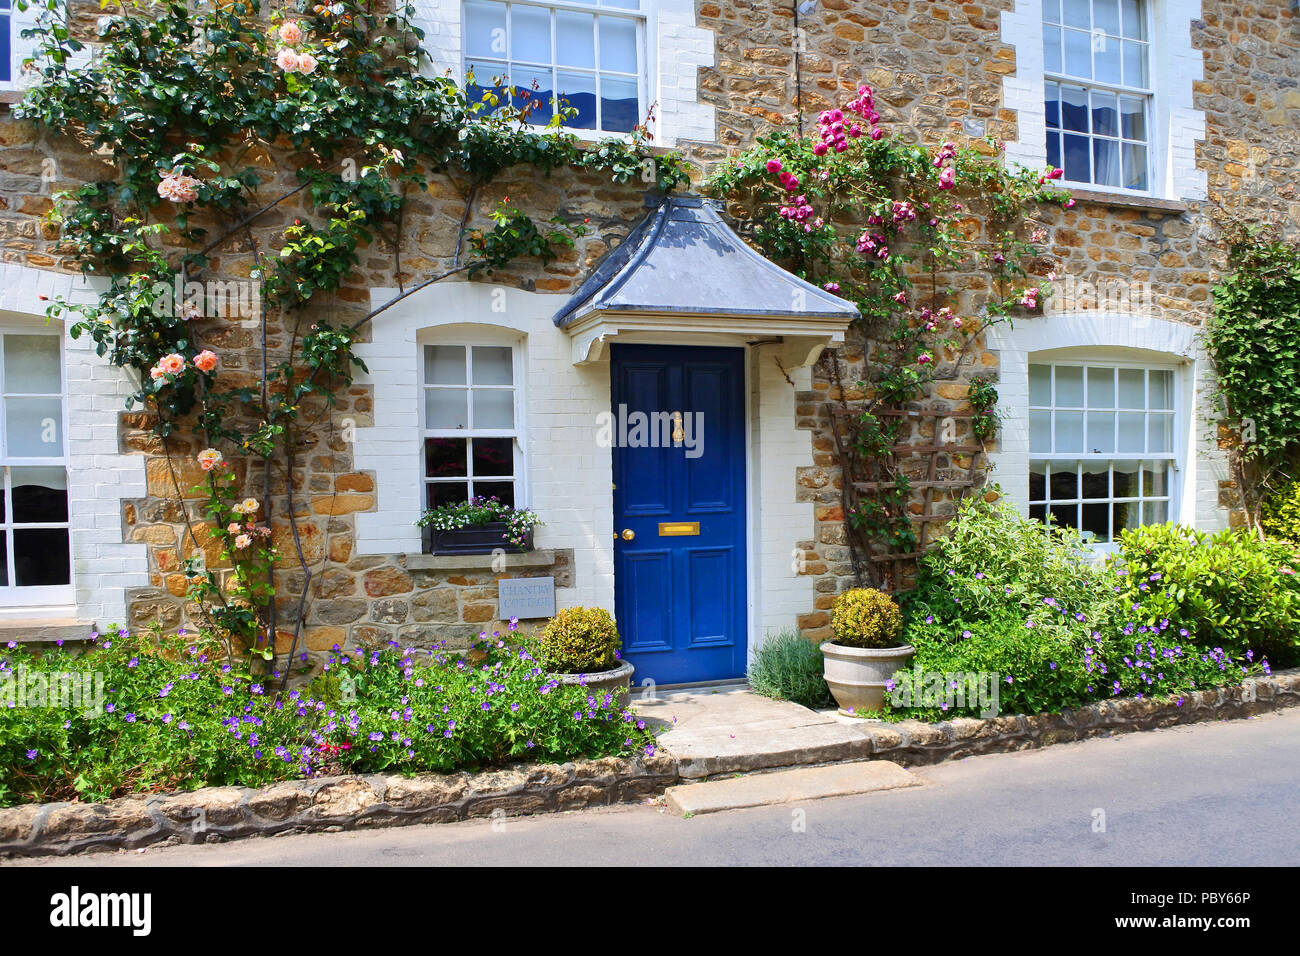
{"points": [[592, 54]]}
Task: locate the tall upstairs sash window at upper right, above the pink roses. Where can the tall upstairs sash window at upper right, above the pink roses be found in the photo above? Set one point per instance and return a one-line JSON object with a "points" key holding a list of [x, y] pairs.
{"points": [[1099, 92]]}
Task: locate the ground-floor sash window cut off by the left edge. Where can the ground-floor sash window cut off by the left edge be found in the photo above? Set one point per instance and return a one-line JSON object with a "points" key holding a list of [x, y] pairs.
{"points": [[36, 564]]}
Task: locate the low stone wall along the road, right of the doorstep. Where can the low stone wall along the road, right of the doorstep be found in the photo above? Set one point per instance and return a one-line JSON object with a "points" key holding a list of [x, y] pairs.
{"points": [[913, 743]]}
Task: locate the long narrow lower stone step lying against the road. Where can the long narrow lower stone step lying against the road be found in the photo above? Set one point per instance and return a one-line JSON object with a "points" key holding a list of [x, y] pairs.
{"points": [[788, 788]]}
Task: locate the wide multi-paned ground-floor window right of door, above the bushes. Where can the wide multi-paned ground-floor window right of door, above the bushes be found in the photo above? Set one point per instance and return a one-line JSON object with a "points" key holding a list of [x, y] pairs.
{"points": [[1102, 447]]}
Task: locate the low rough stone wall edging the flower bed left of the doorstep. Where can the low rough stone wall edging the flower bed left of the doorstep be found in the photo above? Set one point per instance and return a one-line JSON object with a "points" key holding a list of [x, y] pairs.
{"points": [[218, 815]]}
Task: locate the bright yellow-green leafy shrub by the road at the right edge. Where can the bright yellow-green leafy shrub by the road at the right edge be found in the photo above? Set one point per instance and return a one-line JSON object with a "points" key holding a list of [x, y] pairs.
{"points": [[1229, 590]]}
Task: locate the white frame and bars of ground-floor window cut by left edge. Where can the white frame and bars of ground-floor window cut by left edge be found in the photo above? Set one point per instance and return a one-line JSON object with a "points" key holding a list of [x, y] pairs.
{"points": [[51, 595]]}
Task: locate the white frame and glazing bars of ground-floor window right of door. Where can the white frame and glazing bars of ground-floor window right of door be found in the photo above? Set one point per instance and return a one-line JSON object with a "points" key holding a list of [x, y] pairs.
{"points": [[1175, 457]]}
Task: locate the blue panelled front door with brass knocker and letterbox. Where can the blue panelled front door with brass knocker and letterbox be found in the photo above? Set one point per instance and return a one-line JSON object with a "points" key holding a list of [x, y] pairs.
{"points": [[679, 511]]}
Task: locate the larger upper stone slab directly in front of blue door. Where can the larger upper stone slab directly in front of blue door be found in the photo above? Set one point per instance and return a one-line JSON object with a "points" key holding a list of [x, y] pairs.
{"points": [[734, 730]]}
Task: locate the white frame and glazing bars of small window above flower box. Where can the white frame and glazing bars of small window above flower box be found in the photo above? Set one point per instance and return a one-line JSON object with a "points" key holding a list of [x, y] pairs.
{"points": [[517, 434]]}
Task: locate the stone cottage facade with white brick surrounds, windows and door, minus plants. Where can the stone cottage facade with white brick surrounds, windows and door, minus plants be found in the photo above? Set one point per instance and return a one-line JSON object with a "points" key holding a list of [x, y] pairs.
{"points": [[1159, 111]]}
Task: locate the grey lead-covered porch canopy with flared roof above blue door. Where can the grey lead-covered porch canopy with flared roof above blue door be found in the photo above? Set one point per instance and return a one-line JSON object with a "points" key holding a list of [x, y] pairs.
{"points": [[684, 276]]}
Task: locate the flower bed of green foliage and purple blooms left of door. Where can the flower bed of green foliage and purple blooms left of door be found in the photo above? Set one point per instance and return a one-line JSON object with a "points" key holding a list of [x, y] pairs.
{"points": [[174, 716]]}
